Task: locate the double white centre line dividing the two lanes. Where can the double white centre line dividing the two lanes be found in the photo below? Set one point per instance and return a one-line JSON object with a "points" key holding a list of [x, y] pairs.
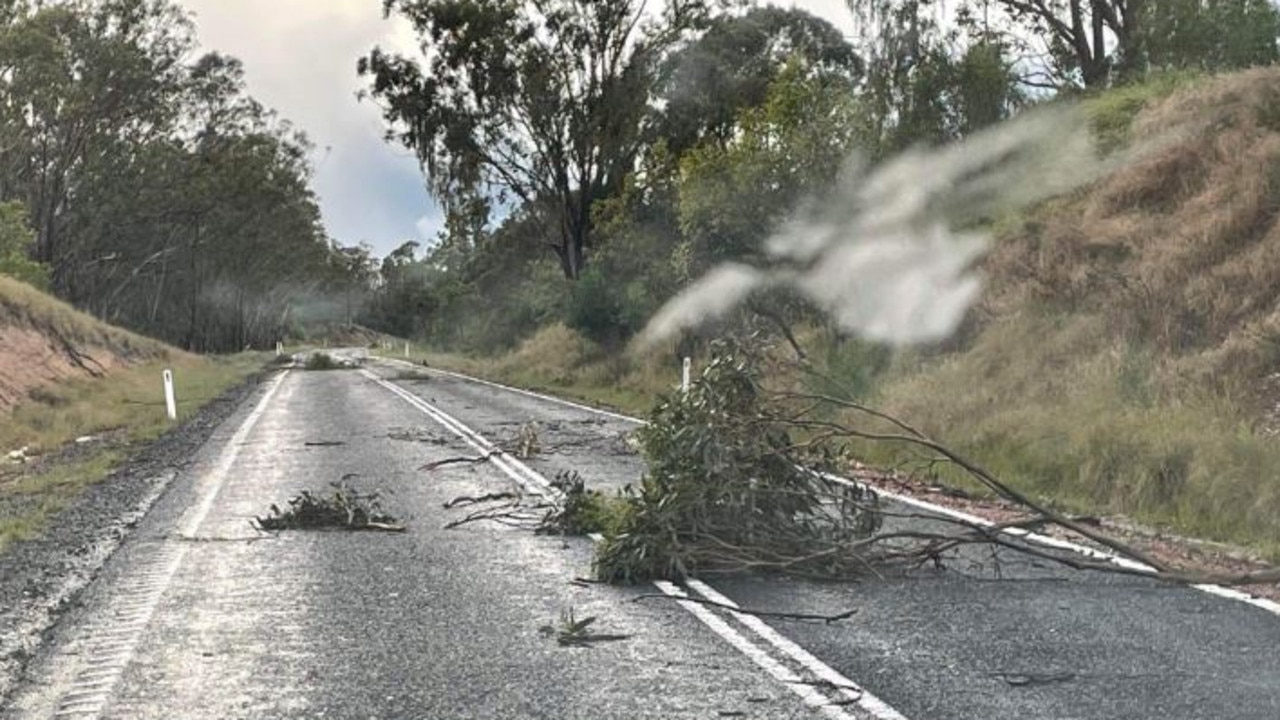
{"points": [[848, 690]]}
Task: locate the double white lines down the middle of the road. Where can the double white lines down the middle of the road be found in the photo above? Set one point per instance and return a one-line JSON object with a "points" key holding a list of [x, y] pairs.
{"points": [[807, 692]]}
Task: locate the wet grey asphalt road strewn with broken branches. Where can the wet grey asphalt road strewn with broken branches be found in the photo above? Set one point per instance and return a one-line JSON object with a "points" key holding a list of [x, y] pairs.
{"points": [[199, 617]]}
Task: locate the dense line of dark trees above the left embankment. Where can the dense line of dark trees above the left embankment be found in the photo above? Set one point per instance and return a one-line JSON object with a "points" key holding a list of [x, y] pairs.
{"points": [[141, 181]]}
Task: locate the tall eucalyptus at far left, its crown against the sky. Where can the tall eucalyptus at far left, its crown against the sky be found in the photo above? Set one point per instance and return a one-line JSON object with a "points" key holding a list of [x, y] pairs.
{"points": [[83, 80]]}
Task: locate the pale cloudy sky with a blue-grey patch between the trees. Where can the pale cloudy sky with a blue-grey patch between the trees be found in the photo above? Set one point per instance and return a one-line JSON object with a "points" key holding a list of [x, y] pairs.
{"points": [[300, 60]]}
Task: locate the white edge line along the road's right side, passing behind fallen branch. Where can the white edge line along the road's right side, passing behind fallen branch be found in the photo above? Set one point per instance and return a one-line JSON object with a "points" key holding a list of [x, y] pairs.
{"points": [[1219, 591]]}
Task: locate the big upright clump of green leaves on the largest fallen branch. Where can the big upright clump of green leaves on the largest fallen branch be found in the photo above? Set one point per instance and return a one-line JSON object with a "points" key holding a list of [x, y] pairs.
{"points": [[732, 486]]}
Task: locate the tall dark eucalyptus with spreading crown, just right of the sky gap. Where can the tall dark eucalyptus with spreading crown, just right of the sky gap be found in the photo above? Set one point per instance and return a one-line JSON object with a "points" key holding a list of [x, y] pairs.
{"points": [[537, 104]]}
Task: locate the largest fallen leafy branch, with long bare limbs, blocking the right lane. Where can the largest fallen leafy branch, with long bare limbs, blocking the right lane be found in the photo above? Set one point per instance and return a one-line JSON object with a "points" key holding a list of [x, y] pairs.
{"points": [[743, 479]]}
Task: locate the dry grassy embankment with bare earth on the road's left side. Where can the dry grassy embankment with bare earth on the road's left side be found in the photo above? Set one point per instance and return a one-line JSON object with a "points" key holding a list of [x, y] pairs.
{"points": [[121, 408]]}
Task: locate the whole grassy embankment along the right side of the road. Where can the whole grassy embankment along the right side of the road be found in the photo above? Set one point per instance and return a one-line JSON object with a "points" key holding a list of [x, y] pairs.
{"points": [[1122, 358]]}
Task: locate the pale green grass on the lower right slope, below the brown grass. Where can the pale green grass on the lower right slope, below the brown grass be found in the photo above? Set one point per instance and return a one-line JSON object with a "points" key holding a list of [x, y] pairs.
{"points": [[1094, 425]]}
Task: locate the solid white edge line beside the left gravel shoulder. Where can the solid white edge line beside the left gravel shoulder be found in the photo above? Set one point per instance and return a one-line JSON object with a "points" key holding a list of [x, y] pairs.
{"points": [[113, 644]]}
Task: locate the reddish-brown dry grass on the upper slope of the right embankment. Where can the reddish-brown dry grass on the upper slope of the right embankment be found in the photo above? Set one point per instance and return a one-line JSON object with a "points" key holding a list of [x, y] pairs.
{"points": [[1180, 250]]}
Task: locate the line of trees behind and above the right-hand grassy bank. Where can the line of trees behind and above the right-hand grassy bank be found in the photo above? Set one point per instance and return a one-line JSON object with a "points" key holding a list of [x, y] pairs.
{"points": [[592, 158]]}
